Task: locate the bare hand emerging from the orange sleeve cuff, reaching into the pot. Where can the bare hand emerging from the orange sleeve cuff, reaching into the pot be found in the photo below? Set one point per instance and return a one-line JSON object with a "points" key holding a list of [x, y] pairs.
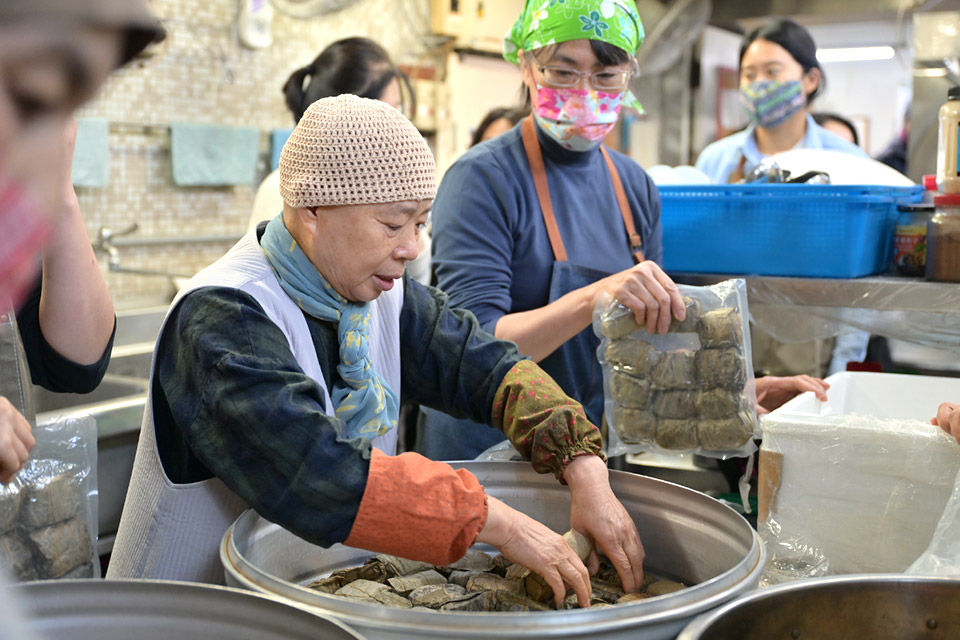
{"points": [[523, 540]]}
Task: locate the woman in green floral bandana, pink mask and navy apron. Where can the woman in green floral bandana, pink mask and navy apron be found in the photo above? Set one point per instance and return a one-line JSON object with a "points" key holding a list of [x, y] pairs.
{"points": [[532, 226]]}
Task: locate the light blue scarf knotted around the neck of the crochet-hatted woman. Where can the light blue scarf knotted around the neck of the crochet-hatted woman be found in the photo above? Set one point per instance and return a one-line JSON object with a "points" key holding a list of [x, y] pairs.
{"points": [[363, 400]]}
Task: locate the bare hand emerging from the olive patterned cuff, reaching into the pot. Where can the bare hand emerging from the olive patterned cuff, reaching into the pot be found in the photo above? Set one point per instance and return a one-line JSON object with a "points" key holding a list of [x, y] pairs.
{"points": [[597, 513]]}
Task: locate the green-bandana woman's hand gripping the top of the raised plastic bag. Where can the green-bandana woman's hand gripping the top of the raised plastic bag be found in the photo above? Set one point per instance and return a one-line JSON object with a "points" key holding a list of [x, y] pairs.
{"points": [[649, 292]]}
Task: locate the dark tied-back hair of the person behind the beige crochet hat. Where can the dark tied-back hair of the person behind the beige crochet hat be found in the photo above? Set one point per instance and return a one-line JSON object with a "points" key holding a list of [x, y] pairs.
{"points": [[353, 65]]}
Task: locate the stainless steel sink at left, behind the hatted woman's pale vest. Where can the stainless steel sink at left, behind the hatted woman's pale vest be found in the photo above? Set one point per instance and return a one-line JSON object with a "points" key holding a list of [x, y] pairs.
{"points": [[117, 405]]}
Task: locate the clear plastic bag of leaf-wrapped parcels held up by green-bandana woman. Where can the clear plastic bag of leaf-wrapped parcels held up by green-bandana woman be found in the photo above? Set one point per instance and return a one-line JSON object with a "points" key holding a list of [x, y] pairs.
{"points": [[690, 390]]}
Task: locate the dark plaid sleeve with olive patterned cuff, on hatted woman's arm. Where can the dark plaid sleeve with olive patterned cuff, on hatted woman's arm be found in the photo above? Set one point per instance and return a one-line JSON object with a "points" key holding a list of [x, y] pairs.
{"points": [[454, 366]]}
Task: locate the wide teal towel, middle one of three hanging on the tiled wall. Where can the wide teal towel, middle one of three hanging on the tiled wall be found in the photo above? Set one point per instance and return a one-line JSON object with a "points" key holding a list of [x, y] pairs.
{"points": [[213, 155]]}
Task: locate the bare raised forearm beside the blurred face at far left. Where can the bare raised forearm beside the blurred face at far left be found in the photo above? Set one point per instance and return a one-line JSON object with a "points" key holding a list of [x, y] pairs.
{"points": [[76, 312]]}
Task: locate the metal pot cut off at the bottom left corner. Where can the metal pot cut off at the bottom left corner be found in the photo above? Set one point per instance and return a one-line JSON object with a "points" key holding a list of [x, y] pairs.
{"points": [[163, 610]]}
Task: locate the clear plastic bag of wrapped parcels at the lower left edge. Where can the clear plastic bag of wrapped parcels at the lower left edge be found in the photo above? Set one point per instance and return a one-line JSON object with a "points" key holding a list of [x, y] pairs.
{"points": [[48, 513]]}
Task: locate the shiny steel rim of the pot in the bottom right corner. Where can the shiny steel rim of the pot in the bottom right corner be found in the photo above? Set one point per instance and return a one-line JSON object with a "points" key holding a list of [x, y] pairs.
{"points": [[702, 622]]}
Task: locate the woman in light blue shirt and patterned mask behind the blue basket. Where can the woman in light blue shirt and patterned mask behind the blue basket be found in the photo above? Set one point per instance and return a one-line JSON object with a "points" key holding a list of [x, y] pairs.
{"points": [[779, 78]]}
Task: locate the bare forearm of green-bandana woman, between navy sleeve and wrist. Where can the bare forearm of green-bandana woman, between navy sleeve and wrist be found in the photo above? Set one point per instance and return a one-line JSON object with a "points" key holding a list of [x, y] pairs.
{"points": [[540, 332]]}
